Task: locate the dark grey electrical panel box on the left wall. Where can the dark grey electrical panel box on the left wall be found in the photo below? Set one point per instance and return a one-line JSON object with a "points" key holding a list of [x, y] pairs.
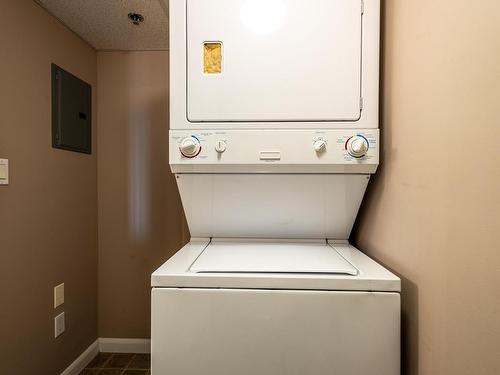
{"points": [[71, 112]]}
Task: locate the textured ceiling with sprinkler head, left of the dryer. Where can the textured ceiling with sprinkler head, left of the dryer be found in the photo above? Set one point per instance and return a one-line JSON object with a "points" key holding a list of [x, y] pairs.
{"points": [[104, 24]]}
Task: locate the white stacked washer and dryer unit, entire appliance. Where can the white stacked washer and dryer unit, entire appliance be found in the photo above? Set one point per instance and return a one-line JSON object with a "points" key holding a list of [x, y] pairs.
{"points": [[273, 138]]}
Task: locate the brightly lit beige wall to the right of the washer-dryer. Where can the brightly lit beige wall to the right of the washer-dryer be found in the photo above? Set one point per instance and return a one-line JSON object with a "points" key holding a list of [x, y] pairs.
{"points": [[433, 211]]}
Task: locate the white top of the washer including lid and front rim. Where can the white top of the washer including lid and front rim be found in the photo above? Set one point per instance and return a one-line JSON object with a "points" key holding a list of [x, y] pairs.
{"points": [[205, 263]]}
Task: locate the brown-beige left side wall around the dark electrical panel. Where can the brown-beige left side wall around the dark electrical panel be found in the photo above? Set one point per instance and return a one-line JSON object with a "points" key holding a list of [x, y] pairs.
{"points": [[48, 213]]}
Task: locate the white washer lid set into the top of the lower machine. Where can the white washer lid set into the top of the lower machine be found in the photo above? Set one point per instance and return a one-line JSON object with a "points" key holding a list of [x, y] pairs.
{"points": [[271, 257]]}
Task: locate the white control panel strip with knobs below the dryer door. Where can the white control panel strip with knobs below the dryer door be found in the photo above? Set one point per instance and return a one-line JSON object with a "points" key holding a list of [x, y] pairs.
{"points": [[299, 151]]}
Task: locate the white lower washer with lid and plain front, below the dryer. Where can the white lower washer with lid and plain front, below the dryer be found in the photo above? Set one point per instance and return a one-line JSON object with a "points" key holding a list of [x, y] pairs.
{"points": [[329, 310]]}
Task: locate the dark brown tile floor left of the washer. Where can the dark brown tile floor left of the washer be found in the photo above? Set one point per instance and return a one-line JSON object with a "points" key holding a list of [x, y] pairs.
{"points": [[119, 364]]}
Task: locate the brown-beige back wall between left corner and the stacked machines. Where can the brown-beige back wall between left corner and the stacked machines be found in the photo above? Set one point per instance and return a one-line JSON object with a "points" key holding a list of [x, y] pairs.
{"points": [[140, 214]]}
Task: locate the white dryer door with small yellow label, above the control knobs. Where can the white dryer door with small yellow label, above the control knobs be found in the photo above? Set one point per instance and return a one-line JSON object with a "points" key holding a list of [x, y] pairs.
{"points": [[273, 60]]}
